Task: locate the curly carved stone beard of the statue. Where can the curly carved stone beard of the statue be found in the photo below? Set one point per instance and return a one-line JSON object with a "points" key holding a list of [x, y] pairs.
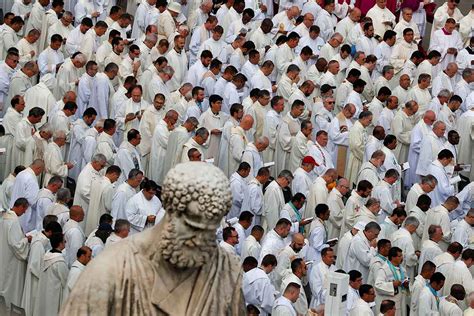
{"points": [[190, 251]]}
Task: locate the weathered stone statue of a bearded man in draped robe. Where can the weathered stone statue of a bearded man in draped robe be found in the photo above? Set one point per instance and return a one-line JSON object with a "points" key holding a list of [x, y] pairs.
{"points": [[174, 268]]}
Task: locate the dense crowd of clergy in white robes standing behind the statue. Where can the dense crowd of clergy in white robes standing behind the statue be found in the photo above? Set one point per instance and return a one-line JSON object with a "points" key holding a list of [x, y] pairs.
{"points": [[346, 132]]}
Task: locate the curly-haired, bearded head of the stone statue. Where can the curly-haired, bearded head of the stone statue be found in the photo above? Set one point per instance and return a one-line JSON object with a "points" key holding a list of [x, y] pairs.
{"points": [[195, 196]]}
